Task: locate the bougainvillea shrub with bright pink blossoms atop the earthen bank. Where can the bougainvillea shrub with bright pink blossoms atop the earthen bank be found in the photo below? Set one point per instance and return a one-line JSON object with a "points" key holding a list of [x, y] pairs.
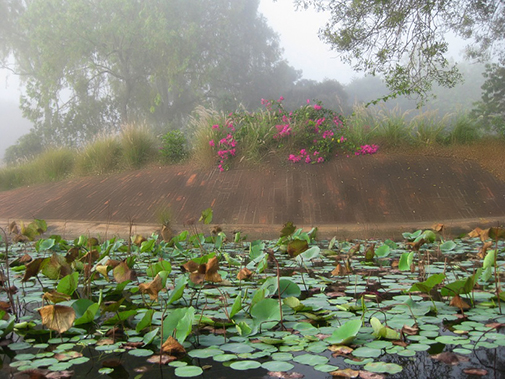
{"points": [[310, 134]]}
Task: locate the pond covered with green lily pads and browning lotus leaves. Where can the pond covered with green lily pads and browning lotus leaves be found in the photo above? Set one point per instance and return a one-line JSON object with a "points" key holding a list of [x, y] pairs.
{"points": [[205, 306]]}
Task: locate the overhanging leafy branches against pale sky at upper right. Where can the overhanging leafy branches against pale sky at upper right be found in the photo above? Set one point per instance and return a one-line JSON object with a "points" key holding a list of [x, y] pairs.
{"points": [[405, 41]]}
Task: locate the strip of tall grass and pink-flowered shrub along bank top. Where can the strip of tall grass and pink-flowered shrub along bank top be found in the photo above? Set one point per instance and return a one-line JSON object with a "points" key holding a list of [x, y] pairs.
{"points": [[310, 134]]}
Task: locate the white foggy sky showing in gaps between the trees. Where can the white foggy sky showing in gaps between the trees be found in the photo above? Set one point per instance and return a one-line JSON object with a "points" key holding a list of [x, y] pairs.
{"points": [[298, 37]]}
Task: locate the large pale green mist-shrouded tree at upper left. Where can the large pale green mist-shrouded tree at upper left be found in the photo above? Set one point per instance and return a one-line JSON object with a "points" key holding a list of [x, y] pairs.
{"points": [[92, 66]]}
